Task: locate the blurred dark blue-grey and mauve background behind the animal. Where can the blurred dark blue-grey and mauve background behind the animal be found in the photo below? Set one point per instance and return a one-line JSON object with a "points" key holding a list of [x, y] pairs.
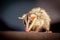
{"points": [[10, 10]]}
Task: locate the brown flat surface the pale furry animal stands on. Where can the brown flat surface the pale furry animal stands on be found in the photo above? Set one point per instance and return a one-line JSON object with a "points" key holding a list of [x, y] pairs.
{"points": [[30, 35]]}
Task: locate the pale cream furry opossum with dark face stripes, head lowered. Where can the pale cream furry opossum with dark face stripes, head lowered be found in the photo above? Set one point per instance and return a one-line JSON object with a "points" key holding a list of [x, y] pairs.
{"points": [[41, 20]]}
